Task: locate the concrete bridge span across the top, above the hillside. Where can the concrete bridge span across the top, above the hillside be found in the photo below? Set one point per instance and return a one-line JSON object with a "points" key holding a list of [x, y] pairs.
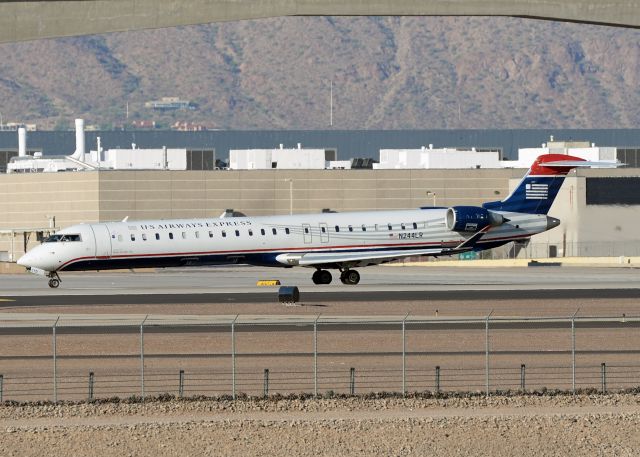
{"points": [[27, 20]]}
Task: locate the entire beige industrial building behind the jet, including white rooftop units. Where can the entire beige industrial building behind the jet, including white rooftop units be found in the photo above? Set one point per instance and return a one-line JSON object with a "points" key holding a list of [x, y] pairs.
{"points": [[599, 207]]}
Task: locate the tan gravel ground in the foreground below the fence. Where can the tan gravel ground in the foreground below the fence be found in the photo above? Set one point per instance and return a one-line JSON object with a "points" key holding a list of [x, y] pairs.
{"points": [[525, 425]]}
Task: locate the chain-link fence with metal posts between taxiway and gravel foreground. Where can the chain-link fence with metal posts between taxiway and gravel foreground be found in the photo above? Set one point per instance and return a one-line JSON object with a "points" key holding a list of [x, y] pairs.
{"points": [[413, 359]]}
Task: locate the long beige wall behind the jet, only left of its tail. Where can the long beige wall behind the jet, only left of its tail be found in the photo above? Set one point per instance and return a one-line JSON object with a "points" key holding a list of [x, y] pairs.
{"points": [[29, 199]]}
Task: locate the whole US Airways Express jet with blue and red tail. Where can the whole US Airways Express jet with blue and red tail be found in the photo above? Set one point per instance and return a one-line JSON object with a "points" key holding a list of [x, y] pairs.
{"points": [[341, 241]]}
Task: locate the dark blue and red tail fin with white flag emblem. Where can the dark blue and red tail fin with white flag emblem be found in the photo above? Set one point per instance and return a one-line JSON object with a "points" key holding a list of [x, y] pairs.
{"points": [[538, 189]]}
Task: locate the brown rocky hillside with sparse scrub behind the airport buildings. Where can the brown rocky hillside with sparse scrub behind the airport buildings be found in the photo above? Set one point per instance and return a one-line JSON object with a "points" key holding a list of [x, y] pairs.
{"points": [[387, 72]]}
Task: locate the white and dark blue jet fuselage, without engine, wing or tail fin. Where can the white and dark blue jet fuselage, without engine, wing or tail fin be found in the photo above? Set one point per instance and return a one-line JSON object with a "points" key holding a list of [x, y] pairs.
{"points": [[267, 241]]}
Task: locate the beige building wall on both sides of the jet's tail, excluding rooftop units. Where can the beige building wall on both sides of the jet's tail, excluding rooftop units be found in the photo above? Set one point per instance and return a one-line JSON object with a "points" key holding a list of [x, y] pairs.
{"points": [[30, 199]]}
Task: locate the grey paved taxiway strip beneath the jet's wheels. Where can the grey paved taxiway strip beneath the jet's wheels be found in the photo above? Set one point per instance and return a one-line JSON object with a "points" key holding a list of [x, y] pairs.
{"points": [[379, 284]]}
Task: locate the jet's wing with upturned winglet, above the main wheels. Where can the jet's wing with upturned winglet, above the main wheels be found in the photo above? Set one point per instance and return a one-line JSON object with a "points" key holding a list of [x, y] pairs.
{"points": [[374, 256]]}
